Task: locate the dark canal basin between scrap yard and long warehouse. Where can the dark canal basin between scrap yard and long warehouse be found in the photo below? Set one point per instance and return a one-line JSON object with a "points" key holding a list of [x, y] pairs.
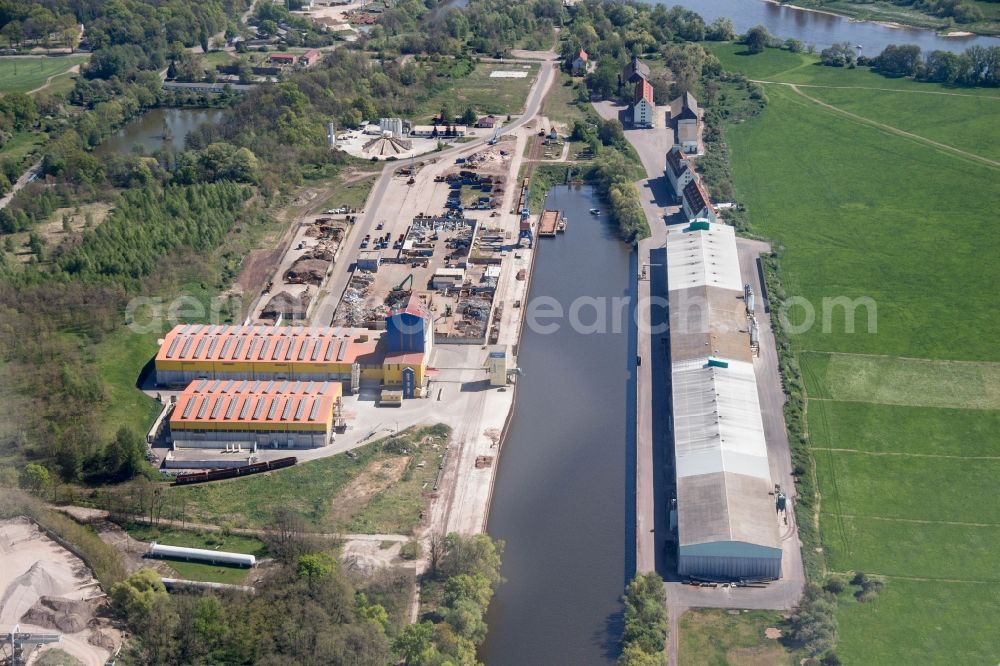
{"points": [[563, 495]]}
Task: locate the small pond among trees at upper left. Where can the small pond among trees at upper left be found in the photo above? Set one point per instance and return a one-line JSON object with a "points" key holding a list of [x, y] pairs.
{"points": [[155, 127]]}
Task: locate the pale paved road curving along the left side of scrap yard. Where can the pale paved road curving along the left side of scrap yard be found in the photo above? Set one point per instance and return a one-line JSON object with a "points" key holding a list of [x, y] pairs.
{"points": [[375, 210]]}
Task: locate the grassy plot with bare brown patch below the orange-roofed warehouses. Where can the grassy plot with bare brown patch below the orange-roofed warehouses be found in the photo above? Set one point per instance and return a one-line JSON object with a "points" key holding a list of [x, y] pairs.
{"points": [[378, 489]]}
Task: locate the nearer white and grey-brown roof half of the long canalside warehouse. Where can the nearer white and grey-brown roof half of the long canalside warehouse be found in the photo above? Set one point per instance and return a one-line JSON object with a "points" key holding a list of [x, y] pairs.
{"points": [[723, 478]]}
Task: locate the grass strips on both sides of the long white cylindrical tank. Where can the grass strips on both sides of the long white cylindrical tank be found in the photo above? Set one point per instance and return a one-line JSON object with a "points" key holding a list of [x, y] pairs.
{"points": [[234, 543]]}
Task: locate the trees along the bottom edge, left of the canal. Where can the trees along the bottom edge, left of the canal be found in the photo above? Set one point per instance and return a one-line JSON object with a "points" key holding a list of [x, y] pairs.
{"points": [[310, 609]]}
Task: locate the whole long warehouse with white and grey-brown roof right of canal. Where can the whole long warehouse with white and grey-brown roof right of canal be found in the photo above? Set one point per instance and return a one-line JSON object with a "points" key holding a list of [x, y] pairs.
{"points": [[727, 525]]}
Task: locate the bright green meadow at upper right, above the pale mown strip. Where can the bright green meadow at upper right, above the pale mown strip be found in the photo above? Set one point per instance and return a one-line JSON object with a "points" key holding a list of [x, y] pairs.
{"points": [[865, 213]]}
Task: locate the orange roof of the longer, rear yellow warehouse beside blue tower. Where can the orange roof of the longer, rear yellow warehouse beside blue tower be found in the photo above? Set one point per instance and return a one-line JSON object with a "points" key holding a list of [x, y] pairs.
{"points": [[266, 344]]}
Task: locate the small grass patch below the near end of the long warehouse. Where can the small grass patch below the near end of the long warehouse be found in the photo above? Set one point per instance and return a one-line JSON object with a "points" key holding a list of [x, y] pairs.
{"points": [[730, 638]]}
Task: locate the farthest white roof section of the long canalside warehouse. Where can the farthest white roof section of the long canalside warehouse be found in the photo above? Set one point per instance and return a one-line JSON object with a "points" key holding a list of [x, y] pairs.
{"points": [[703, 254]]}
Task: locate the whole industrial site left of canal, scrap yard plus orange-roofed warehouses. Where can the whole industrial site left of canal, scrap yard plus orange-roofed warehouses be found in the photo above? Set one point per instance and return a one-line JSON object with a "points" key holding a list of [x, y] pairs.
{"points": [[439, 242]]}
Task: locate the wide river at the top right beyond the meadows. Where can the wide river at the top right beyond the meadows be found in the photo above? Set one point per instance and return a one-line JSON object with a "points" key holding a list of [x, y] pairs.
{"points": [[824, 29]]}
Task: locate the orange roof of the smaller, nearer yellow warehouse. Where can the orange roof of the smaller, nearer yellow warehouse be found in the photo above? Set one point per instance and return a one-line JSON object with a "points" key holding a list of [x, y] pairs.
{"points": [[249, 402]]}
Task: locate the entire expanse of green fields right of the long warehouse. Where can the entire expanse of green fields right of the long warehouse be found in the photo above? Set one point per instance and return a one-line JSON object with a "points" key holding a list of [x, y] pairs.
{"points": [[882, 189]]}
